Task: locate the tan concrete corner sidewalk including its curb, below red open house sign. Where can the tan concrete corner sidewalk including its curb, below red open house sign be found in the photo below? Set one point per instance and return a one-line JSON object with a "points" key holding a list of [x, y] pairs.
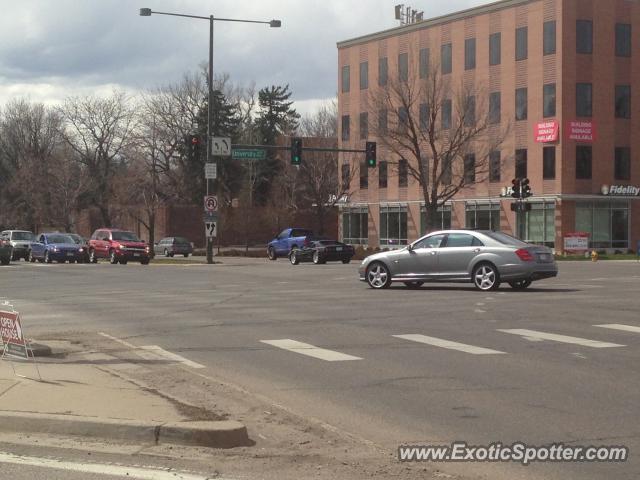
{"points": [[81, 394]]}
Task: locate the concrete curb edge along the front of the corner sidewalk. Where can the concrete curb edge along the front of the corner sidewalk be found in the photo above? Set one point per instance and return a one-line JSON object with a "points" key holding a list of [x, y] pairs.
{"points": [[220, 434]]}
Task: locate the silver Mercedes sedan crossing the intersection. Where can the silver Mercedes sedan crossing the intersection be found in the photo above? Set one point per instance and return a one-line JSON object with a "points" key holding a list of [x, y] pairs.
{"points": [[484, 258]]}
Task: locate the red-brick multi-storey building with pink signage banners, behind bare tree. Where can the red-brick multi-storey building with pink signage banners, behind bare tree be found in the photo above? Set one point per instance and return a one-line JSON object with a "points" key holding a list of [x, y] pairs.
{"points": [[564, 74]]}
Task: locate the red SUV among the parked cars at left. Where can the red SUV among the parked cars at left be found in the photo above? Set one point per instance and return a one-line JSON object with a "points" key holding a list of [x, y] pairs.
{"points": [[119, 246]]}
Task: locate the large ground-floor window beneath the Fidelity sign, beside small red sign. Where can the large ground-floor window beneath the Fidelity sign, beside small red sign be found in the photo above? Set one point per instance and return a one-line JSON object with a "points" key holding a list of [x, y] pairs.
{"points": [[606, 222]]}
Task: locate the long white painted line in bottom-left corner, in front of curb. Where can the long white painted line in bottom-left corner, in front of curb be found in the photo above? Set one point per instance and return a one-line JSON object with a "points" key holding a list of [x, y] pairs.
{"points": [[140, 473]]}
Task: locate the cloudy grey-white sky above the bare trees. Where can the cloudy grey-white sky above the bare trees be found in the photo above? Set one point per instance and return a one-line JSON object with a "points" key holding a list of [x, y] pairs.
{"points": [[50, 49]]}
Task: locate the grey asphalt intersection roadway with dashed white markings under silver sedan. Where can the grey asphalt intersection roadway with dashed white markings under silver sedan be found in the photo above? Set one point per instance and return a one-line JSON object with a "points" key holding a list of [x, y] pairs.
{"points": [[527, 366]]}
